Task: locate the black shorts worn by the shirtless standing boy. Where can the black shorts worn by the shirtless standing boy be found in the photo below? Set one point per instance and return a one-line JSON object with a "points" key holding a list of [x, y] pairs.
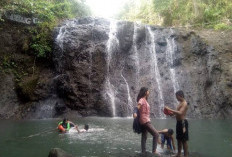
{"points": [[180, 135]]}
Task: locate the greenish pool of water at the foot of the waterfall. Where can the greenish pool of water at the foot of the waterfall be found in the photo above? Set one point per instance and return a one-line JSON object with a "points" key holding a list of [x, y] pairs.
{"points": [[107, 137]]}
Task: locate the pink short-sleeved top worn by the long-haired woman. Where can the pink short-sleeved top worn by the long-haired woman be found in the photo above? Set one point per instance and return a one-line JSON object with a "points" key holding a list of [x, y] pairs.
{"points": [[144, 111]]}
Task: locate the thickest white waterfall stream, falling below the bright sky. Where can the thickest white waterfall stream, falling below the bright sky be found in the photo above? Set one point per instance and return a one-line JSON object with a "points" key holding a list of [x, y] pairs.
{"points": [[112, 43]]}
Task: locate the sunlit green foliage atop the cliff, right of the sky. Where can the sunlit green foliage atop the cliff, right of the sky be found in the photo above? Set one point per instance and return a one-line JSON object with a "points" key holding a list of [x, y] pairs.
{"points": [[196, 13]]}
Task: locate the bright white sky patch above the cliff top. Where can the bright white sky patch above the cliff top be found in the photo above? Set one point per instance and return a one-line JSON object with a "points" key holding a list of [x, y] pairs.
{"points": [[105, 8]]}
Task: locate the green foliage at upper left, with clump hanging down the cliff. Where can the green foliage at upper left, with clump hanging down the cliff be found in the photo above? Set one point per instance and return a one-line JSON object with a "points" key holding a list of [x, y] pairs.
{"points": [[49, 13]]}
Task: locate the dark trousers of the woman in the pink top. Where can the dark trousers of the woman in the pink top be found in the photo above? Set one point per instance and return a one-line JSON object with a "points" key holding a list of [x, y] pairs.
{"points": [[147, 127]]}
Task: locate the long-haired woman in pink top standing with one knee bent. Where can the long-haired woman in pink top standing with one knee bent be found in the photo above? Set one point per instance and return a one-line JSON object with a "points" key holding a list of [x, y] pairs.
{"points": [[145, 121]]}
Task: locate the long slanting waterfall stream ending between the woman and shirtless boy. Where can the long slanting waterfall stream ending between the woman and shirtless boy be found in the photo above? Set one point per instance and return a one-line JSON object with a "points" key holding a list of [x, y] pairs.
{"points": [[155, 69]]}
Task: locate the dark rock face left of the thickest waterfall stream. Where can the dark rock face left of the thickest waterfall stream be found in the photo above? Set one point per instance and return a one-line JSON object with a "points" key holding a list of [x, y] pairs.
{"points": [[80, 62]]}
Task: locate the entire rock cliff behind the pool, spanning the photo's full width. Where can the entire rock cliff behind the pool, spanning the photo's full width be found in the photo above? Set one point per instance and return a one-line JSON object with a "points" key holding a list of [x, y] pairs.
{"points": [[100, 65]]}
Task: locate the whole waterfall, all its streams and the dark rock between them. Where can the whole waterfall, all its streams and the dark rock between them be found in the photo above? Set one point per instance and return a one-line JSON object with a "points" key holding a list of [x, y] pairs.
{"points": [[115, 59]]}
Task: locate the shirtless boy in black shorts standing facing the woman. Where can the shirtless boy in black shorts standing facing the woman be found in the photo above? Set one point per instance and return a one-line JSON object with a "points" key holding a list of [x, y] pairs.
{"points": [[181, 124]]}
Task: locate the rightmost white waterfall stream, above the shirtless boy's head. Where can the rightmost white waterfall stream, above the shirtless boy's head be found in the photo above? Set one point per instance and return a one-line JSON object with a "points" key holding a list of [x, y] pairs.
{"points": [[170, 54]]}
